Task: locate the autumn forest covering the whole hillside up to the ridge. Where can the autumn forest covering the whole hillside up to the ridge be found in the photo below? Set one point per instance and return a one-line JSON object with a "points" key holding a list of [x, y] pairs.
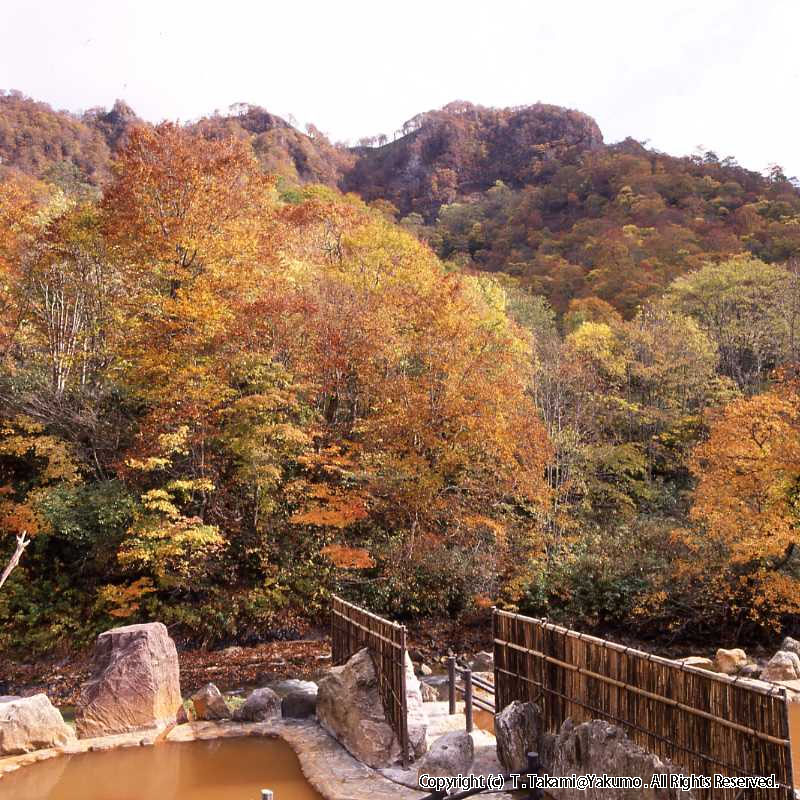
{"points": [[487, 359]]}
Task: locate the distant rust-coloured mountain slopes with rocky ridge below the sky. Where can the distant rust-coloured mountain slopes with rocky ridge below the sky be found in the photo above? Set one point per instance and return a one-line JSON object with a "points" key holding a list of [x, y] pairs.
{"points": [[531, 191]]}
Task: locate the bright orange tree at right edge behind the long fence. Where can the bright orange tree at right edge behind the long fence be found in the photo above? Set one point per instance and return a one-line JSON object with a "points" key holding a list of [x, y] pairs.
{"points": [[747, 502]]}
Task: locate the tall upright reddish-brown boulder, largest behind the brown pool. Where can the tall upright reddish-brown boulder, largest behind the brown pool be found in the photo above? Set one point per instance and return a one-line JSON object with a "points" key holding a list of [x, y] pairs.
{"points": [[134, 683]]}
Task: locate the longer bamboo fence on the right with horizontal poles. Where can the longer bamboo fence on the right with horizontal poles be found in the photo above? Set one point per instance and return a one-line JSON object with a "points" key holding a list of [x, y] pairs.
{"points": [[705, 723]]}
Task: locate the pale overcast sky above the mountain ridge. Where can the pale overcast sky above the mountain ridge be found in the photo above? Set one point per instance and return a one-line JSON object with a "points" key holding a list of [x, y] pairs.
{"points": [[724, 75]]}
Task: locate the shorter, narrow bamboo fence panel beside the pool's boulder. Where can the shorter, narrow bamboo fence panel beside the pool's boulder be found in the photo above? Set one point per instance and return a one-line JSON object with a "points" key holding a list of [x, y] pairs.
{"points": [[353, 628]]}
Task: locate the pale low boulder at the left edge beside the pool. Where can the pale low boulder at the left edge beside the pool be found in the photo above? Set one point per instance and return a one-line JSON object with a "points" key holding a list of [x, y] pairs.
{"points": [[32, 723]]}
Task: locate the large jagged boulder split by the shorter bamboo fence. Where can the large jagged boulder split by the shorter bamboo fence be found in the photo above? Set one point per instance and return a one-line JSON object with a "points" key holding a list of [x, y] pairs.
{"points": [[350, 708]]}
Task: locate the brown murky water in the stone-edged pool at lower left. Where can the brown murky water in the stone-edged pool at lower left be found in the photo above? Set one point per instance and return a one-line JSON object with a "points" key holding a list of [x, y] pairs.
{"points": [[225, 769]]}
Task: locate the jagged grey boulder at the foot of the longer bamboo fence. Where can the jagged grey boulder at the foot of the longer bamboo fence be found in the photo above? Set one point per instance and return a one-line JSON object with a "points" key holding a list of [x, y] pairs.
{"points": [[600, 748]]}
